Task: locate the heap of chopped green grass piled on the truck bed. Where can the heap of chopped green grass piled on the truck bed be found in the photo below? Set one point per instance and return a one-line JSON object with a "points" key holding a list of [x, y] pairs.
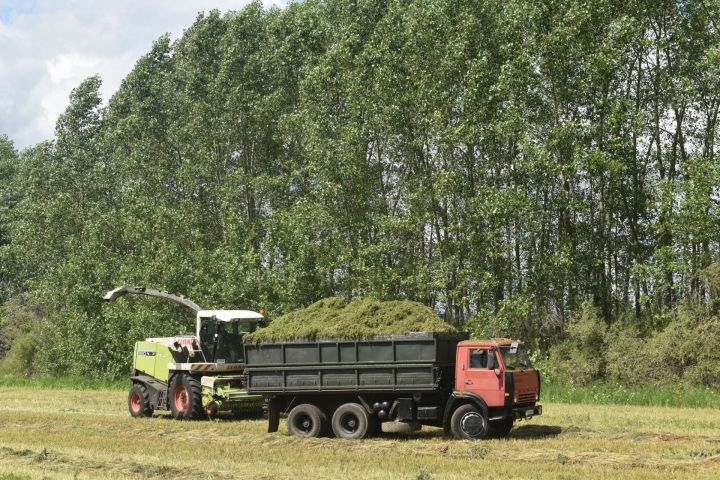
{"points": [[362, 318]]}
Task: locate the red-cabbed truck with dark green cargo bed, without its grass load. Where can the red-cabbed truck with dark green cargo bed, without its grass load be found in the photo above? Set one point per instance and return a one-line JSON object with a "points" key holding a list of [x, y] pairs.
{"points": [[354, 388]]}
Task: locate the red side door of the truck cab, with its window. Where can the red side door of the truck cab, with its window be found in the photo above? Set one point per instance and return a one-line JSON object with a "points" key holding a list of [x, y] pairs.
{"points": [[477, 375]]}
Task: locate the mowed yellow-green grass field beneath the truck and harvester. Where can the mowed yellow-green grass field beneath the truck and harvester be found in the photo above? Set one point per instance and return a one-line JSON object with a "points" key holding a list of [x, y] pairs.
{"points": [[89, 434]]}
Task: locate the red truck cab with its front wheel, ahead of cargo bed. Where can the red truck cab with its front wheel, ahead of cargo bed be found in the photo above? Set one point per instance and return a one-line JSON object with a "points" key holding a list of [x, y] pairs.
{"points": [[495, 384]]}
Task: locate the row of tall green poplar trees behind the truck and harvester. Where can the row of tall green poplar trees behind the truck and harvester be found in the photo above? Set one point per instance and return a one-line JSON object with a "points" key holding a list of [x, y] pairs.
{"points": [[502, 162]]}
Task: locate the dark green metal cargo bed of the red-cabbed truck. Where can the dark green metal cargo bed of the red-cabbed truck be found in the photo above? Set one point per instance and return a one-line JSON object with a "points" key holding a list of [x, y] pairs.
{"points": [[417, 362]]}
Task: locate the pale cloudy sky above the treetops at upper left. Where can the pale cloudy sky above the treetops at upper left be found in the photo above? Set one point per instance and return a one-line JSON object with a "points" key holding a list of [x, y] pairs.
{"points": [[47, 47]]}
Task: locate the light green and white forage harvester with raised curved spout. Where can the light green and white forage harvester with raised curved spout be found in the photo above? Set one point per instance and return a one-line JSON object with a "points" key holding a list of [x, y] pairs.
{"points": [[194, 376]]}
